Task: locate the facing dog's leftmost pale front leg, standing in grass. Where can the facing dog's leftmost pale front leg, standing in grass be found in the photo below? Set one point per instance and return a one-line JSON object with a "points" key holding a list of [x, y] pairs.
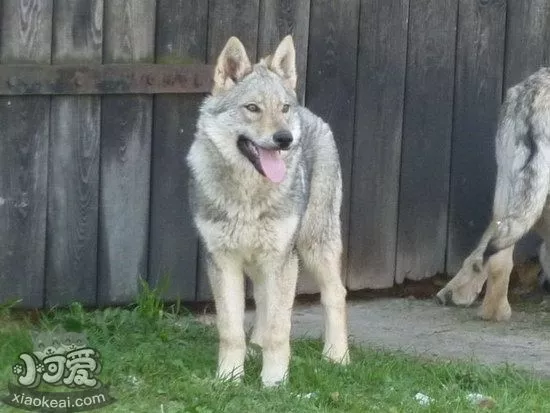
{"points": [[226, 279]]}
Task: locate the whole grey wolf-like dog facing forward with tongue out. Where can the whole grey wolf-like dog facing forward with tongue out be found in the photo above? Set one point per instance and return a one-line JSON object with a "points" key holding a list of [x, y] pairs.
{"points": [[265, 192]]}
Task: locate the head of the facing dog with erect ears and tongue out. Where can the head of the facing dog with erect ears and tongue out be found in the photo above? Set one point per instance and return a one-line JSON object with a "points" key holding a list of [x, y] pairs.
{"points": [[251, 116]]}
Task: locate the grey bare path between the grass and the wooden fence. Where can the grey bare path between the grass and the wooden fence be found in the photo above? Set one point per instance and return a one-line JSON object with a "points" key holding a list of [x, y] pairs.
{"points": [[422, 327]]}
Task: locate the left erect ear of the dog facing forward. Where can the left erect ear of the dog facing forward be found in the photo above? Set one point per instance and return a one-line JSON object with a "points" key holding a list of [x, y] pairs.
{"points": [[232, 65]]}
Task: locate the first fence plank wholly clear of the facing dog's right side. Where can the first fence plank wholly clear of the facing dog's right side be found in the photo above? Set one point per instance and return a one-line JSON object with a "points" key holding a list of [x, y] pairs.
{"points": [[377, 146]]}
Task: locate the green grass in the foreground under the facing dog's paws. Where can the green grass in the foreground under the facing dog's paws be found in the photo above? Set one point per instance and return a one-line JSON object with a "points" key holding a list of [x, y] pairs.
{"points": [[159, 360]]}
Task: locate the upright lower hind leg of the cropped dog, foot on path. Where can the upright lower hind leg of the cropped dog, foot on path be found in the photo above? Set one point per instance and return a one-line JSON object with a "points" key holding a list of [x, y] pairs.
{"points": [[495, 304]]}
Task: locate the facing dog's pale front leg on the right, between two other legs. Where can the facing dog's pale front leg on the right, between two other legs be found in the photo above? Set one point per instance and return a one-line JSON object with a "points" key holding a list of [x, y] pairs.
{"points": [[279, 298]]}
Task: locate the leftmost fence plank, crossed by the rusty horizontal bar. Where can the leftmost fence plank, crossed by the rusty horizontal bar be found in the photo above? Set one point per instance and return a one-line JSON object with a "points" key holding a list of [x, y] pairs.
{"points": [[24, 133]]}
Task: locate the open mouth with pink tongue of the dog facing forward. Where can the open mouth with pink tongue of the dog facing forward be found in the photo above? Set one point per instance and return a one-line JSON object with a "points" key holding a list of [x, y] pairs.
{"points": [[268, 162]]}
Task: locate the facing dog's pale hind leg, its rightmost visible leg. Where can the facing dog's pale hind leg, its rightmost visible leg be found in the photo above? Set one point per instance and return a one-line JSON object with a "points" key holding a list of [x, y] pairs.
{"points": [[326, 268]]}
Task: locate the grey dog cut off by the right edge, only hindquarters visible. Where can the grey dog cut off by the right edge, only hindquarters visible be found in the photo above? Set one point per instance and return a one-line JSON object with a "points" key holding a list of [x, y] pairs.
{"points": [[521, 201]]}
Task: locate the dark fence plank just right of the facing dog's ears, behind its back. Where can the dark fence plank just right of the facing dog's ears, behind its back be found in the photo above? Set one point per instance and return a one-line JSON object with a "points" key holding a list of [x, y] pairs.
{"points": [[330, 91]]}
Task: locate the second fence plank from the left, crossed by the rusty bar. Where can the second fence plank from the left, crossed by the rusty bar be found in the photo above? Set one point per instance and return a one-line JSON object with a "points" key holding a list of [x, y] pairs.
{"points": [[71, 260]]}
